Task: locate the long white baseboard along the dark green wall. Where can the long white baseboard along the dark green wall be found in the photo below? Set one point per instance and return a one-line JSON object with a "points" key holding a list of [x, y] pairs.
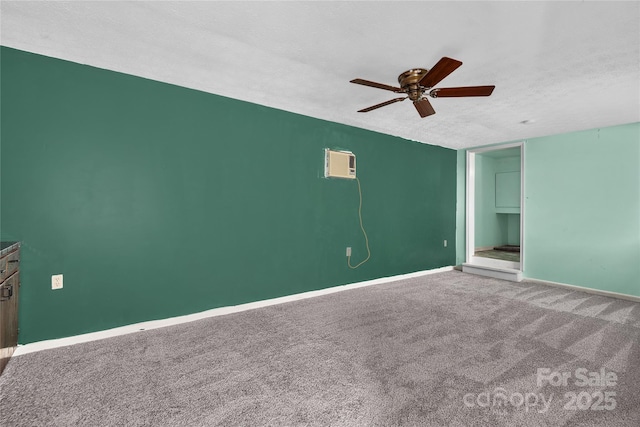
{"points": [[154, 324]]}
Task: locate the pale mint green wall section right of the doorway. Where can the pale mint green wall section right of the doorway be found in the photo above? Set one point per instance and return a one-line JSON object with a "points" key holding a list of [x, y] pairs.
{"points": [[582, 217]]}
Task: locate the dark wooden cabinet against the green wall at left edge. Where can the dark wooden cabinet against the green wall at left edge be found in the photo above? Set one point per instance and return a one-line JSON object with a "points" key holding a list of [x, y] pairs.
{"points": [[9, 291]]}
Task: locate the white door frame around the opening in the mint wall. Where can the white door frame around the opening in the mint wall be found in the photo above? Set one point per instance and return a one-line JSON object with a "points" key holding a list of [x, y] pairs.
{"points": [[470, 257]]}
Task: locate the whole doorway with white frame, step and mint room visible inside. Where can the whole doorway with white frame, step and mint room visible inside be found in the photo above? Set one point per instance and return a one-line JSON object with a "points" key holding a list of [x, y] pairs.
{"points": [[495, 189]]}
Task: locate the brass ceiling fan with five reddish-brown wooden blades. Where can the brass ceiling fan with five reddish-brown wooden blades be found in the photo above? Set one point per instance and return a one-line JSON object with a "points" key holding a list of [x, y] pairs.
{"points": [[417, 81]]}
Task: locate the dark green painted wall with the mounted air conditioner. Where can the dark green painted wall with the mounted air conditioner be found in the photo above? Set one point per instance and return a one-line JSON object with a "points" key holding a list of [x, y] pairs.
{"points": [[155, 200]]}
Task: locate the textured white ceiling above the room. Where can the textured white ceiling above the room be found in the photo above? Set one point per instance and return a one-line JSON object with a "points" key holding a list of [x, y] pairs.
{"points": [[565, 66]]}
